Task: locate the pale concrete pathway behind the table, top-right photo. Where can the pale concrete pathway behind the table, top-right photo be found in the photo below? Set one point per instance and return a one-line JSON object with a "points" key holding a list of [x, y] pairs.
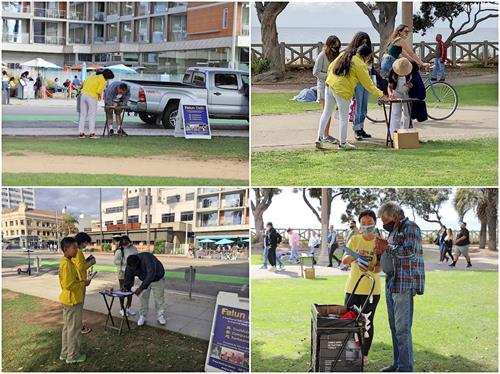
{"points": [[298, 130]]}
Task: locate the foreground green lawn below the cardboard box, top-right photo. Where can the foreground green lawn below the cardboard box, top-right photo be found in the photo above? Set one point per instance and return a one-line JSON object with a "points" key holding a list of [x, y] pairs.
{"points": [[435, 163]]}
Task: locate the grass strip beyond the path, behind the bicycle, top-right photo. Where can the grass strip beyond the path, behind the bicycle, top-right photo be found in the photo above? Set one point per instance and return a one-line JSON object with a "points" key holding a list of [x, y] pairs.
{"points": [[484, 94]]}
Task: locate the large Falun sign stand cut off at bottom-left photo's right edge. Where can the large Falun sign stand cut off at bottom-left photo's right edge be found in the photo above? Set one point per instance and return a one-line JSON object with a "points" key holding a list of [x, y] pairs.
{"points": [[228, 349]]}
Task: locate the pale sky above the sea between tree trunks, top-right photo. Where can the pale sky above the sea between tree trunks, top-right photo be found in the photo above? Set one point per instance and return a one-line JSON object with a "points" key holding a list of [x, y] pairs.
{"points": [[335, 13]]}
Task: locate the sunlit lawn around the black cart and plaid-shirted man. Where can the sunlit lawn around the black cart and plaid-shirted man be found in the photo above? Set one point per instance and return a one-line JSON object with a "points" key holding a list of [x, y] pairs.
{"points": [[452, 331]]}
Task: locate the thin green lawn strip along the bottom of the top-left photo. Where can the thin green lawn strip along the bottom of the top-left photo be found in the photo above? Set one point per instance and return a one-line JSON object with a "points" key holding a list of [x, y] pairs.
{"points": [[55, 179]]}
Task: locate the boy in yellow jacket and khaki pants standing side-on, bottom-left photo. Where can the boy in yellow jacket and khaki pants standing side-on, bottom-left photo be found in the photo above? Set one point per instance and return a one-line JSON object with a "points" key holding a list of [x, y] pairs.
{"points": [[71, 298]]}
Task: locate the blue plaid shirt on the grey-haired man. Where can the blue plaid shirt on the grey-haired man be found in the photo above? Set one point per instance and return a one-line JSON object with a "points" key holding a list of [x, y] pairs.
{"points": [[405, 250]]}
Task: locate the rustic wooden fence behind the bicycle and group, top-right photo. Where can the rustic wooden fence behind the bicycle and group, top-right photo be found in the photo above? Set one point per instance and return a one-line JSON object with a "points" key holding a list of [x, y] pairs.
{"points": [[304, 55]]}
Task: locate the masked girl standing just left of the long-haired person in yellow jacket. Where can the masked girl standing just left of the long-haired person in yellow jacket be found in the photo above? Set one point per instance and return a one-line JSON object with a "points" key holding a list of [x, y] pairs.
{"points": [[330, 52]]}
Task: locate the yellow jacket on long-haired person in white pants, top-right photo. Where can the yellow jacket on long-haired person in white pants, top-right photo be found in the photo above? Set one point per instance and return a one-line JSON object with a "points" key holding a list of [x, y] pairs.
{"points": [[344, 86]]}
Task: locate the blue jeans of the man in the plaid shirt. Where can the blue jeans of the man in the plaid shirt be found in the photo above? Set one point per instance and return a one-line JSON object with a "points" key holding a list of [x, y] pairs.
{"points": [[400, 312]]}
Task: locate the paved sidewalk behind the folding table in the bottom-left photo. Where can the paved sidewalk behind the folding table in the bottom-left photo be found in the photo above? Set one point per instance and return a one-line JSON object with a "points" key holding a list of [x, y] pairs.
{"points": [[188, 317]]}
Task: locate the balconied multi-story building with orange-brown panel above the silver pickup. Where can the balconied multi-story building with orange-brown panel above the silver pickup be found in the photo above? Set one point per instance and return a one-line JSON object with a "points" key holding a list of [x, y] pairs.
{"points": [[160, 37]]}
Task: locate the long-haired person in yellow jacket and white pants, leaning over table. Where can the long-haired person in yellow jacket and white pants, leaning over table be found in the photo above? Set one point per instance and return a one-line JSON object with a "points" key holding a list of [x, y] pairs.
{"points": [[343, 75]]}
